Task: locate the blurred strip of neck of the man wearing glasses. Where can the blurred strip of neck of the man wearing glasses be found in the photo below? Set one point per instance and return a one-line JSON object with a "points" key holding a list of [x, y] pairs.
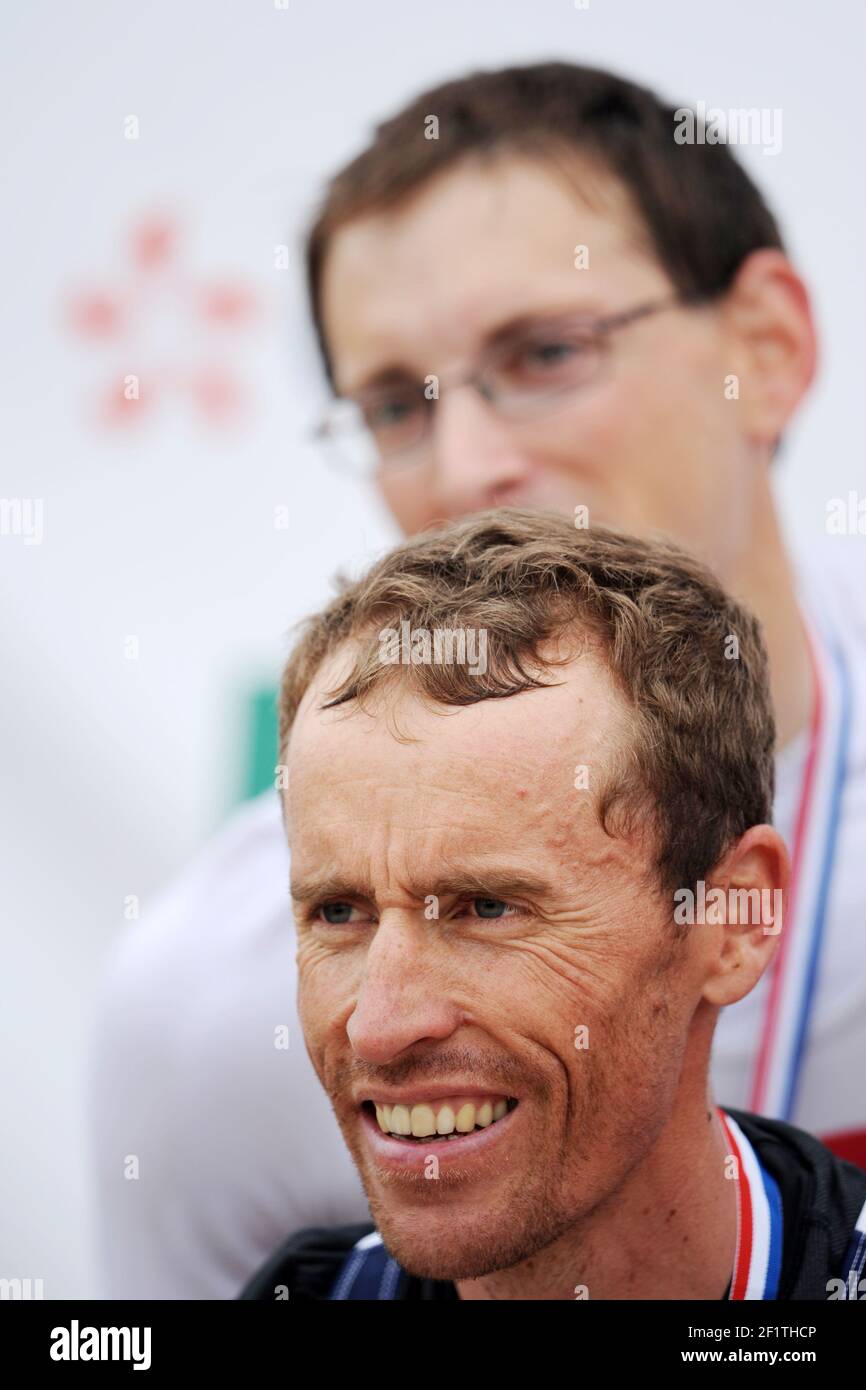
{"points": [[767, 584]]}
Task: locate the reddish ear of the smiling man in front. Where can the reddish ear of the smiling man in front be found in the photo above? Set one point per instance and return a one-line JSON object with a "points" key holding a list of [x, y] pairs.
{"points": [[754, 878]]}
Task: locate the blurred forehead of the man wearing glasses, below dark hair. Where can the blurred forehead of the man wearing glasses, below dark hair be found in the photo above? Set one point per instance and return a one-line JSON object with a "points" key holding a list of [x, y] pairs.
{"points": [[473, 251]]}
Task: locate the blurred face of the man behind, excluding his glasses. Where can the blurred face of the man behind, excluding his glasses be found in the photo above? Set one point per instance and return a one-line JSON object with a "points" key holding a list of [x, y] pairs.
{"points": [[651, 444]]}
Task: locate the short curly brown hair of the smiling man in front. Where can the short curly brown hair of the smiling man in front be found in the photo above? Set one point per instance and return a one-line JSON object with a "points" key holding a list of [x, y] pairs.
{"points": [[690, 661]]}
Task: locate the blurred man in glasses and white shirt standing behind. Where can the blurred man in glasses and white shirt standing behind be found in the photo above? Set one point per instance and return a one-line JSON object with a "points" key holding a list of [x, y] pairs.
{"points": [[528, 291]]}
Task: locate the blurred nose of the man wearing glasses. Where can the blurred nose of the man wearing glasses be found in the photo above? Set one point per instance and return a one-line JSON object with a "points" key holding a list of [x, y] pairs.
{"points": [[477, 459]]}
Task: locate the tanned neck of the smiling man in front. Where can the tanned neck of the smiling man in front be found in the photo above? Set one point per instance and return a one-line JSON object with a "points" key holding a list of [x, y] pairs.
{"points": [[669, 1232]]}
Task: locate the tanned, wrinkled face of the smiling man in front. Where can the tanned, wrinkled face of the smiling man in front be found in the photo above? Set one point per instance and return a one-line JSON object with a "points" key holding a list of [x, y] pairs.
{"points": [[550, 976]]}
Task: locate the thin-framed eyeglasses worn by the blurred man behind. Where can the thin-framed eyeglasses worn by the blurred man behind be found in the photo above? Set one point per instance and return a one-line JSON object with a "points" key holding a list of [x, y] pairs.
{"points": [[526, 375]]}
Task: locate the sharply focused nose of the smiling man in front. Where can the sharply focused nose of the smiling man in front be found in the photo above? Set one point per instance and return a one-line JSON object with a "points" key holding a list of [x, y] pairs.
{"points": [[400, 1004]]}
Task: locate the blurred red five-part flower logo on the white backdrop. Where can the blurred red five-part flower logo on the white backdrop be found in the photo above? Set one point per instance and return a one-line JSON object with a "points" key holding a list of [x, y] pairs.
{"points": [[173, 336]]}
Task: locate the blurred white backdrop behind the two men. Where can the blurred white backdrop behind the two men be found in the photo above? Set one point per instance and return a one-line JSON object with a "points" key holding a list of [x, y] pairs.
{"points": [[162, 528]]}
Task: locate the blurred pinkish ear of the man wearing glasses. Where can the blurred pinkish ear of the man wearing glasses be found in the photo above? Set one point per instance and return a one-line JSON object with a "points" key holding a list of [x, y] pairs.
{"points": [[772, 340]]}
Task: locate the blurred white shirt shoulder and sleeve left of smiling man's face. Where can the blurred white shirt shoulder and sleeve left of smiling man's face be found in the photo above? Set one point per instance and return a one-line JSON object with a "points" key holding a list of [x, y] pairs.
{"points": [[236, 1140]]}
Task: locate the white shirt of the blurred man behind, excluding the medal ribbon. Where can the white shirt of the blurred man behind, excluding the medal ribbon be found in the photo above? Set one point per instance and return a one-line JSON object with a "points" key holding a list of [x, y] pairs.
{"points": [[237, 1145]]}
